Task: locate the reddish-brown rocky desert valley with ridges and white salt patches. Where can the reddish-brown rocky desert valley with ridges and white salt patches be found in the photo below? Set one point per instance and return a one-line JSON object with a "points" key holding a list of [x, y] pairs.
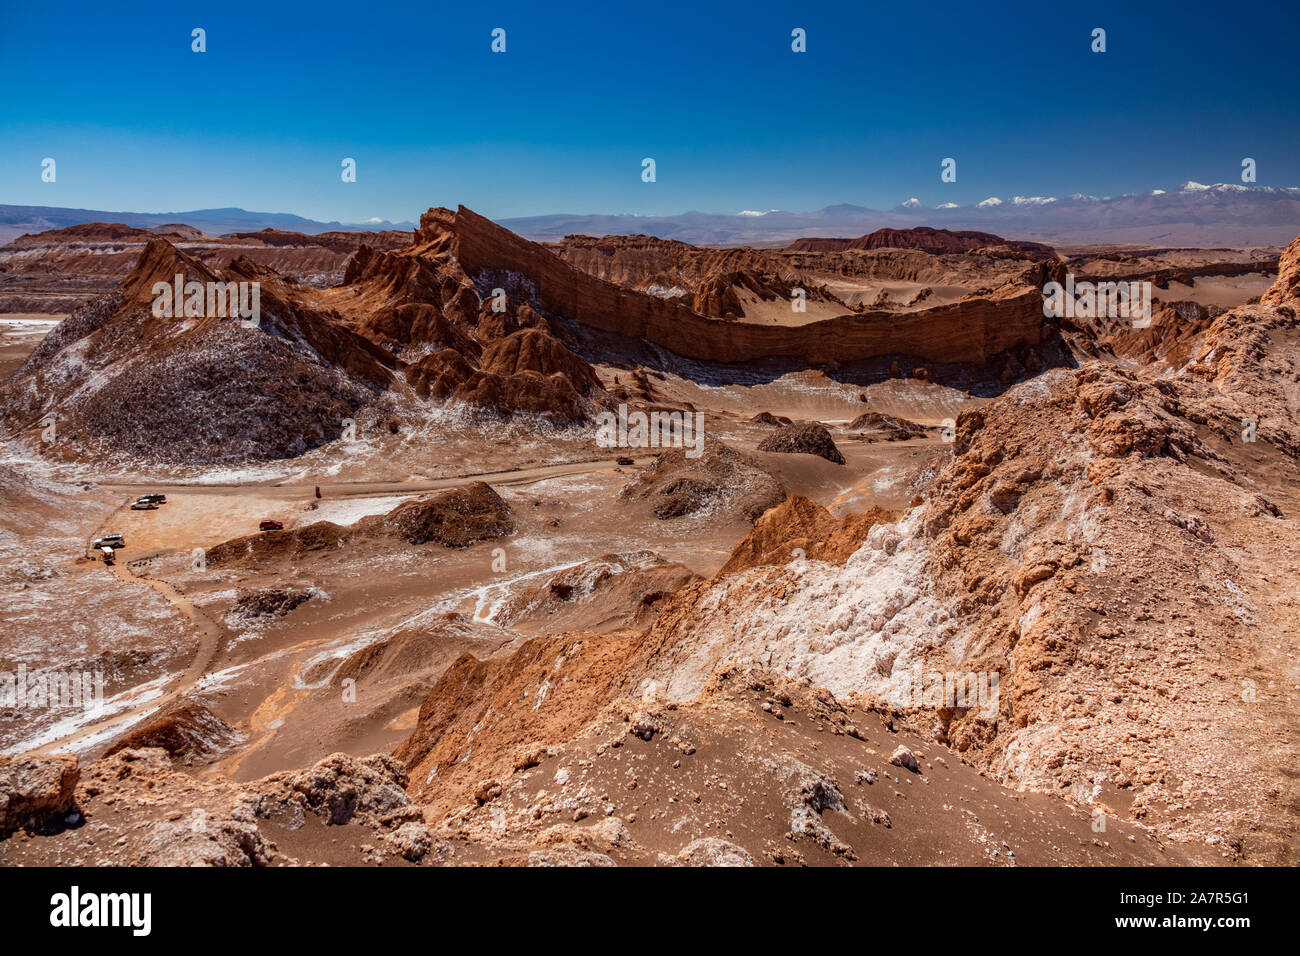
{"points": [[359, 576]]}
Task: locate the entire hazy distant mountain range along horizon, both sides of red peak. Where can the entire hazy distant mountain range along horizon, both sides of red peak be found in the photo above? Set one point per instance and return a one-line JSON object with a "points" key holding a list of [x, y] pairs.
{"points": [[1189, 215]]}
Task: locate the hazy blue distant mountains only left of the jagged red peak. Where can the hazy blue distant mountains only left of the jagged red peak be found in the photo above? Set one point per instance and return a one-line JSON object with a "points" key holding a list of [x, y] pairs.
{"points": [[16, 220]]}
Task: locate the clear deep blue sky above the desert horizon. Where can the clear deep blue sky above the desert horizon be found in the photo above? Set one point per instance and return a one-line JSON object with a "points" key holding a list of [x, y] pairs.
{"points": [[561, 123]]}
